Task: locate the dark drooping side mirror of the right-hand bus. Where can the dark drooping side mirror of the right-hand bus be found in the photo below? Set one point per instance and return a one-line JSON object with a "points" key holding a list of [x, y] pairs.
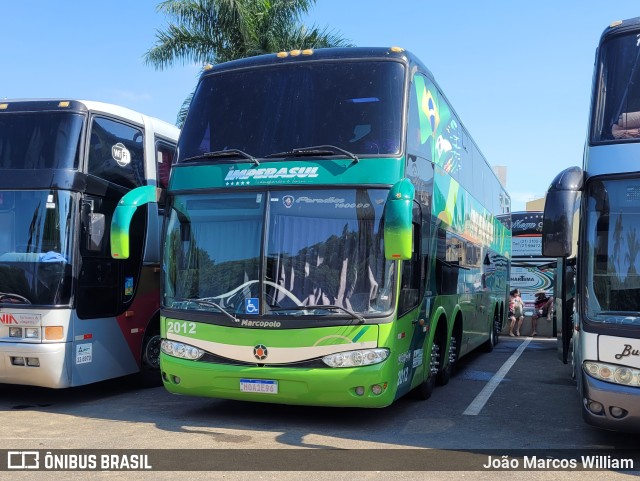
{"points": [[559, 213]]}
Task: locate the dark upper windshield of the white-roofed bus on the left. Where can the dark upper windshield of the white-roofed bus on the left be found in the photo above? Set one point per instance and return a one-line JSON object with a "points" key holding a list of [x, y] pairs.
{"points": [[40, 140]]}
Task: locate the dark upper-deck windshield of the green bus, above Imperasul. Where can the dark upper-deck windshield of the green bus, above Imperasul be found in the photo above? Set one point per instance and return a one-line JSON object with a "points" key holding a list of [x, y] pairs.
{"points": [[355, 106]]}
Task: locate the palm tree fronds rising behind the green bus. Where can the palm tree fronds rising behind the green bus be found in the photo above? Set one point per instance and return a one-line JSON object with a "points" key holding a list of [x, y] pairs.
{"points": [[214, 31]]}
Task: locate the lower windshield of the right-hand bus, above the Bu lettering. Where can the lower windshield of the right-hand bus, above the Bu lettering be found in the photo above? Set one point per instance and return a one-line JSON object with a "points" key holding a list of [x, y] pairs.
{"points": [[613, 251]]}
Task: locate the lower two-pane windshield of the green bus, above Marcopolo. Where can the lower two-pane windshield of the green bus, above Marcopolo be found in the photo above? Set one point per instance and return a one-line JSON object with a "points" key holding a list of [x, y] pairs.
{"points": [[323, 248]]}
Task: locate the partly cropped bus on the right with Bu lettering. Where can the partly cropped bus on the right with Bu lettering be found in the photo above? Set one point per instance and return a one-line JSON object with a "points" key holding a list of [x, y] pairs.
{"points": [[598, 206]]}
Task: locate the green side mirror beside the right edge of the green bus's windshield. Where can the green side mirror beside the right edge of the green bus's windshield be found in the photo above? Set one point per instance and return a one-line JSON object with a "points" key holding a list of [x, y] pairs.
{"points": [[398, 217]]}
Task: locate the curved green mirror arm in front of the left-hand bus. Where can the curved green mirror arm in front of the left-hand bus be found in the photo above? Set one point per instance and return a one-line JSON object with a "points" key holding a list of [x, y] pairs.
{"points": [[121, 221]]}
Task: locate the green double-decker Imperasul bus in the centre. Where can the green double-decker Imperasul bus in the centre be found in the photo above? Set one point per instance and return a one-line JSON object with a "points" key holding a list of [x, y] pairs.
{"points": [[332, 234]]}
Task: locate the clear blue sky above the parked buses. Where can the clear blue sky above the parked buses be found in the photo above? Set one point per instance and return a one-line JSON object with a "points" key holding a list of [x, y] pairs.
{"points": [[518, 74]]}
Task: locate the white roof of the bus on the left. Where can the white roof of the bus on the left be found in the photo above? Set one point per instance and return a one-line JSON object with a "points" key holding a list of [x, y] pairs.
{"points": [[33, 105]]}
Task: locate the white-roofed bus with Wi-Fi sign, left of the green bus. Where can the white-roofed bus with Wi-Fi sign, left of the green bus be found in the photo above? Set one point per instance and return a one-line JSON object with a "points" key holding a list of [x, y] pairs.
{"points": [[70, 314]]}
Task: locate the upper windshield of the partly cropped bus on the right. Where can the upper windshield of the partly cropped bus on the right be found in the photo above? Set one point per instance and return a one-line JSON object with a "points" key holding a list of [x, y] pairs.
{"points": [[616, 117]]}
